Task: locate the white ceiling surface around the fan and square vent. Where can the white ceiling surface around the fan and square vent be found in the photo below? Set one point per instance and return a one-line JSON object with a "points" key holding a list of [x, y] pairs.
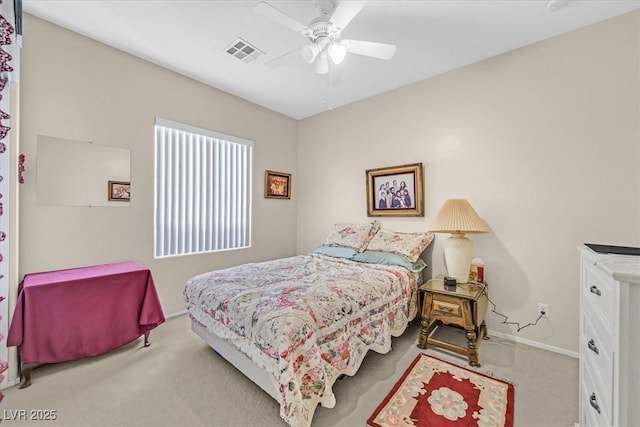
{"points": [[432, 37]]}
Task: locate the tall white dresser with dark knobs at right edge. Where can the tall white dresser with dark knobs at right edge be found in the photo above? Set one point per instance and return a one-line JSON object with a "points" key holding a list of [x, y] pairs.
{"points": [[609, 339]]}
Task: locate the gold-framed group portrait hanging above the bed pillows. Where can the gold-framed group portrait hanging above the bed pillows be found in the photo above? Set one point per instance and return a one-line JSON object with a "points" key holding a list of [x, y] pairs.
{"points": [[395, 191]]}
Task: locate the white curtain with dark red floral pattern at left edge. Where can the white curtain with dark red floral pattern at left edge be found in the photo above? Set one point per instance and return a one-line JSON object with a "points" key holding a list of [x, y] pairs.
{"points": [[7, 35]]}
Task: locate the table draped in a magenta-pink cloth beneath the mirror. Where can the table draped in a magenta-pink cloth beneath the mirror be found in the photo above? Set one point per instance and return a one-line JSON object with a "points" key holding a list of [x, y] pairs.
{"points": [[82, 312]]}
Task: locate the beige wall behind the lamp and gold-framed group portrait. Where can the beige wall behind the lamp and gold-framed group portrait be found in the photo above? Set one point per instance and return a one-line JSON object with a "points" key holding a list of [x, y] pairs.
{"points": [[543, 141]]}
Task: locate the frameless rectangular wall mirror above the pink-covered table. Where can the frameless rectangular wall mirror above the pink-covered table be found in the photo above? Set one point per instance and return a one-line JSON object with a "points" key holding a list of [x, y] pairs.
{"points": [[81, 173]]}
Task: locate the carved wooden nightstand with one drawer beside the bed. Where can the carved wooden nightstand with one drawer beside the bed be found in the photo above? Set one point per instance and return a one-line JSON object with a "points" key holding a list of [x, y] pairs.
{"points": [[463, 306]]}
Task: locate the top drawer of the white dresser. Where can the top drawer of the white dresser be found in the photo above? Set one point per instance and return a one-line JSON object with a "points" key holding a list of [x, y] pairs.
{"points": [[598, 296]]}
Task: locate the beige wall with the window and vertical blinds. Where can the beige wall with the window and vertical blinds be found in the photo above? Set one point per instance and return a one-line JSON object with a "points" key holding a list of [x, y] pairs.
{"points": [[78, 89]]}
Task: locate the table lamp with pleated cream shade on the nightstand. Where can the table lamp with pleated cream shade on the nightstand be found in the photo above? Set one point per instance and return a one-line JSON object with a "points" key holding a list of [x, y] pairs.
{"points": [[457, 217]]}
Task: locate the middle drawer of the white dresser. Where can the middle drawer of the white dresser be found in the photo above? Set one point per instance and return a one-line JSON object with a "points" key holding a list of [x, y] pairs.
{"points": [[596, 352]]}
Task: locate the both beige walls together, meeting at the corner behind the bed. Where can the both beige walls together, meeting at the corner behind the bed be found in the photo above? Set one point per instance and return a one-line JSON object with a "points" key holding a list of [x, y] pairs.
{"points": [[544, 142]]}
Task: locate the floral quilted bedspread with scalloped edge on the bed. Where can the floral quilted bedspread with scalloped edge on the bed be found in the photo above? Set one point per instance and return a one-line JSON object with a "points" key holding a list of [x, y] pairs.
{"points": [[306, 320]]}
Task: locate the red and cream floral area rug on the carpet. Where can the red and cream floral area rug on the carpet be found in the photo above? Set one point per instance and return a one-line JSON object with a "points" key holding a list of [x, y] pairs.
{"points": [[433, 392]]}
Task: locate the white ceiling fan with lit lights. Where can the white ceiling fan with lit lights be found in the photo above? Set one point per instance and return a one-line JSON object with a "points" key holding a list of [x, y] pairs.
{"points": [[324, 33]]}
